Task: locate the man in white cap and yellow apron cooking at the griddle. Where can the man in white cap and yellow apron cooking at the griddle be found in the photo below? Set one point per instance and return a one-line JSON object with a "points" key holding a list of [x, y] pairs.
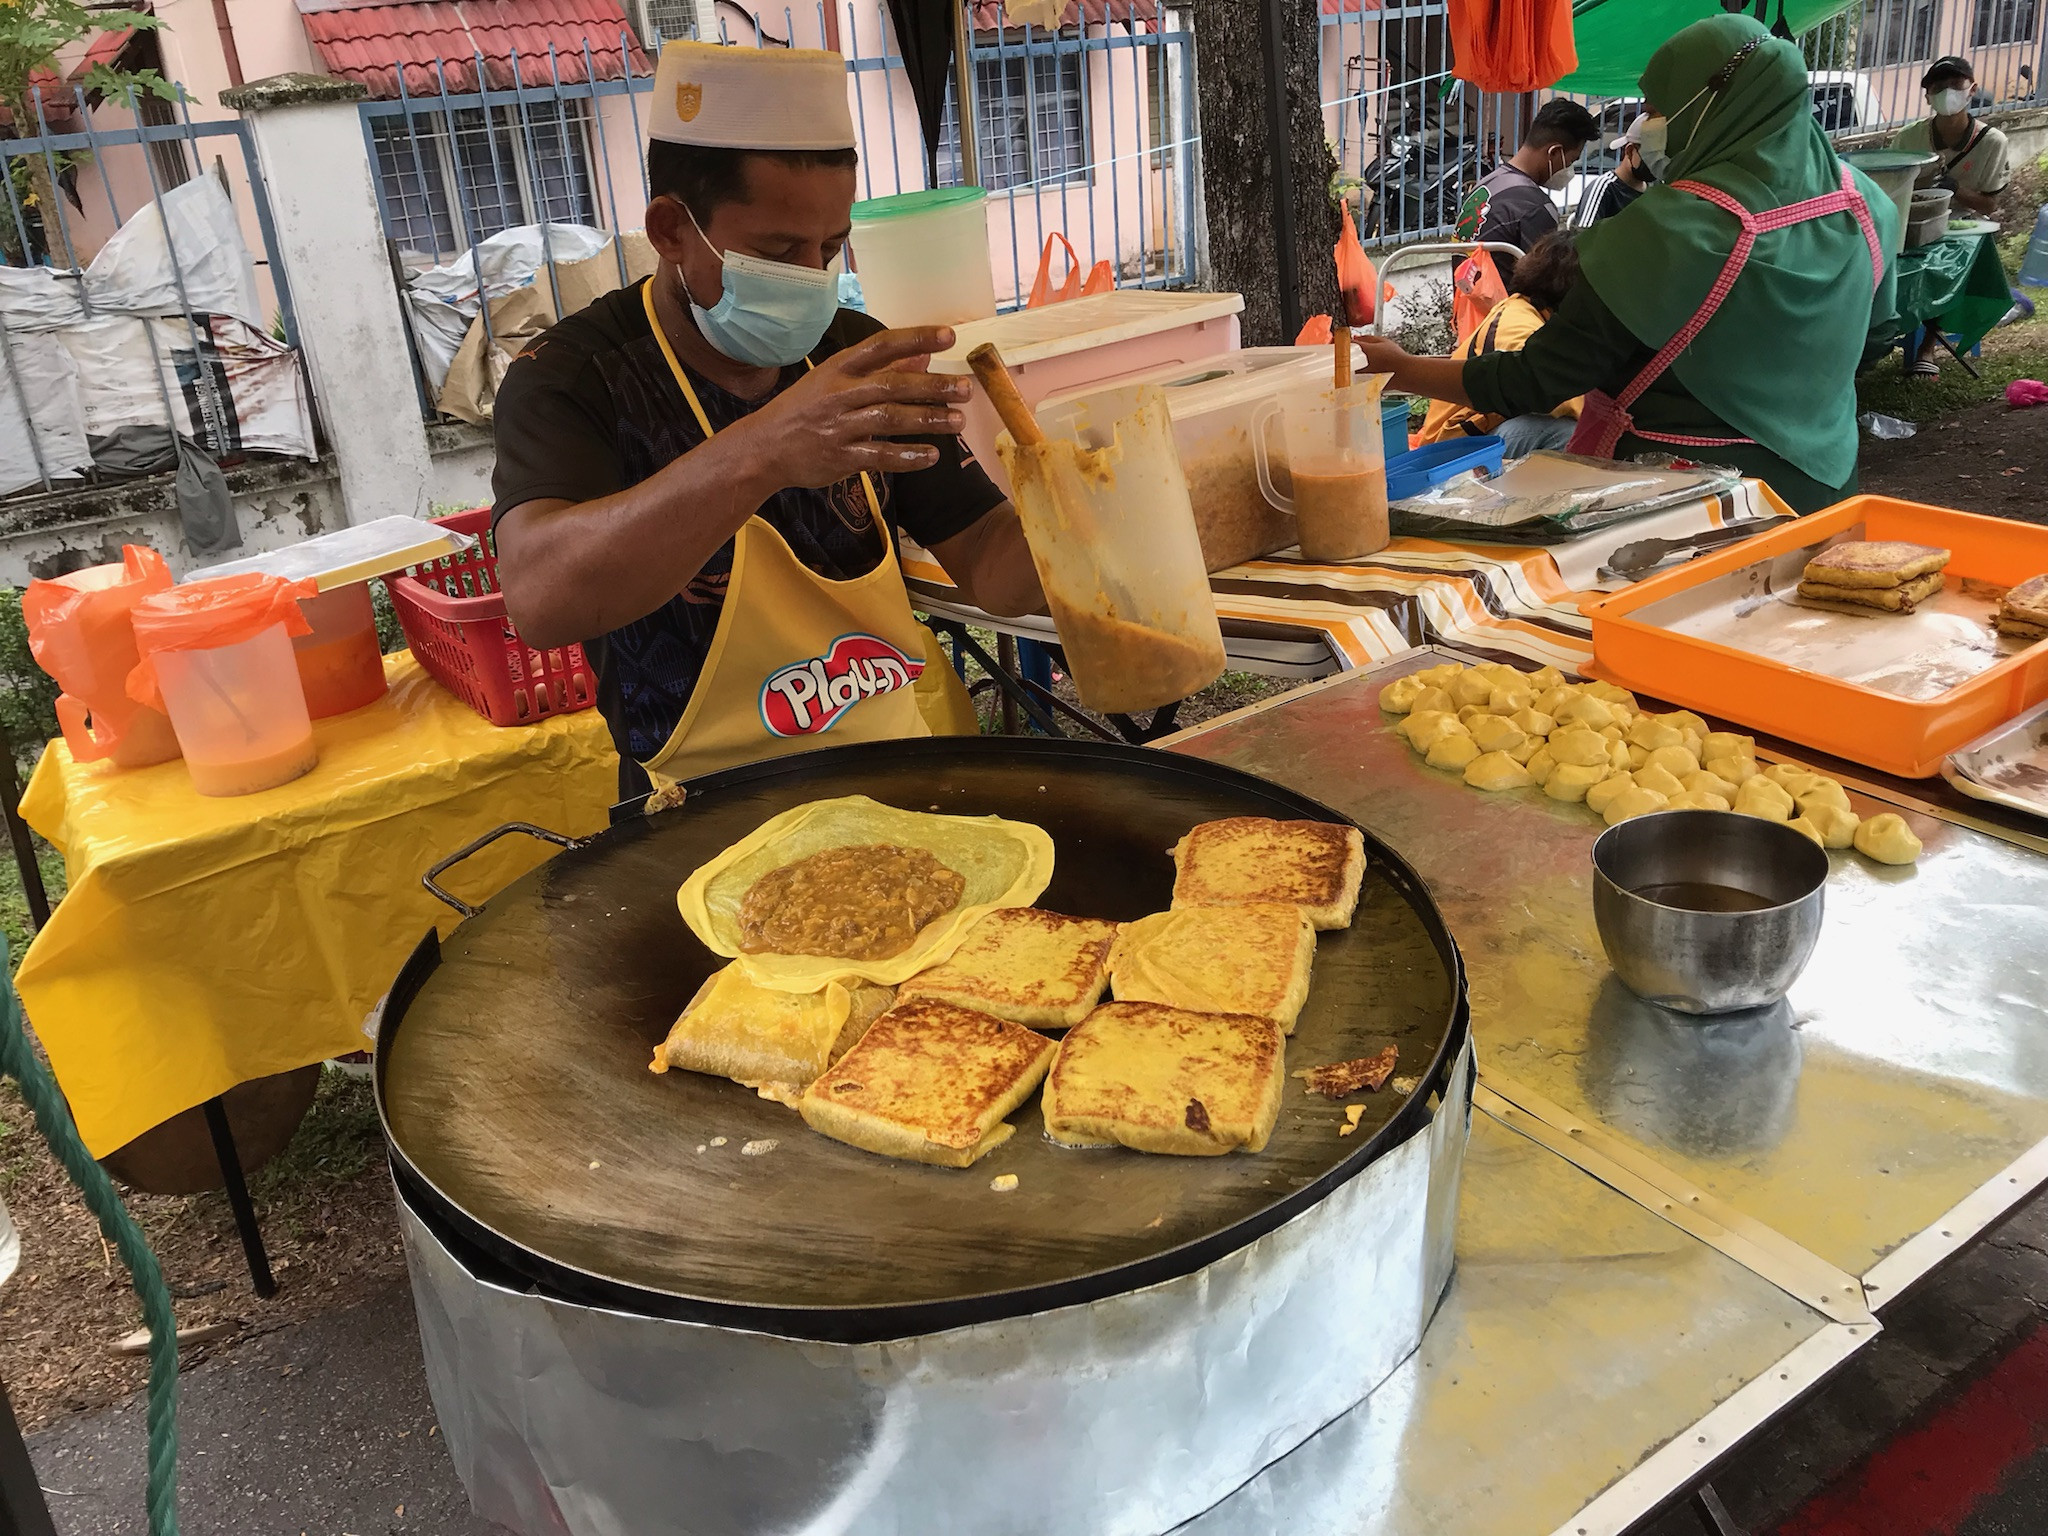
{"points": [[697, 476]]}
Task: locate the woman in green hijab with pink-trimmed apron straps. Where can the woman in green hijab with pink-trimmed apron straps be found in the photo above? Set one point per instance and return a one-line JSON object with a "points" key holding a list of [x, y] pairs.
{"points": [[1758, 374]]}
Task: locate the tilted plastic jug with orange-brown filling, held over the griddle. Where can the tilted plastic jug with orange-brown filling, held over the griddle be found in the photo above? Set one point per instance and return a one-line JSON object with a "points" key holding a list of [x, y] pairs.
{"points": [[1105, 509]]}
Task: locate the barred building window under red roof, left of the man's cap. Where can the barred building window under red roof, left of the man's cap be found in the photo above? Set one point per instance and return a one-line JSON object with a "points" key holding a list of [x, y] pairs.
{"points": [[507, 171]]}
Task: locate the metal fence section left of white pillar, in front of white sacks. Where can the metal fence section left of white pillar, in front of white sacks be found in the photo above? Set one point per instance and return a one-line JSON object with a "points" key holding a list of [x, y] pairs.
{"points": [[75, 179]]}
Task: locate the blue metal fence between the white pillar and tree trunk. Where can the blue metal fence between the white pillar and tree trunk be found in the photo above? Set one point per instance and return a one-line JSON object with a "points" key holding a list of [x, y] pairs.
{"points": [[1086, 132]]}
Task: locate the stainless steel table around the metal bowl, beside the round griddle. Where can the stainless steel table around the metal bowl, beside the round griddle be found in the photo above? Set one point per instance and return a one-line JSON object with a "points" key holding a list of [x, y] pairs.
{"points": [[1760, 1189]]}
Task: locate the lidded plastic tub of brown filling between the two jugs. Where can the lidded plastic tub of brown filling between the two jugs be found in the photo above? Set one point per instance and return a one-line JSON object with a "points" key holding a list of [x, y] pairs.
{"points": [[1213, 407]]}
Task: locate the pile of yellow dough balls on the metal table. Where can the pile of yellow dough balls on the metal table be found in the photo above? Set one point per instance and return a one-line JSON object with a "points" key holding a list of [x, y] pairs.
{"points": [[1590, 742]]}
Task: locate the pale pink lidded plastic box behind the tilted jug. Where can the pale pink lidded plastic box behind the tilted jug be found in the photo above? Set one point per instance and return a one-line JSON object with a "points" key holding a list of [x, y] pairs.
{"points": [[1082, 345]]}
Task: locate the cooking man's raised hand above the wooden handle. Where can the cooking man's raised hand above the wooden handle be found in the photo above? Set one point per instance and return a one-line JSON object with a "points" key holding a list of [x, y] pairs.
{"points": [[839, 419]]}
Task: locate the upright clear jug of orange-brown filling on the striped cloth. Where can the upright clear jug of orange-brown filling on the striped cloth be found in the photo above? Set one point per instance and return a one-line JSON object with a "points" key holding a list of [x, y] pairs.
{"points": [[1336, 460]]}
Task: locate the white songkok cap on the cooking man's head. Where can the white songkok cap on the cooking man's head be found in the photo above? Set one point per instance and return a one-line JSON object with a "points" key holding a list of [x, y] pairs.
{"points": [[751, 99]]}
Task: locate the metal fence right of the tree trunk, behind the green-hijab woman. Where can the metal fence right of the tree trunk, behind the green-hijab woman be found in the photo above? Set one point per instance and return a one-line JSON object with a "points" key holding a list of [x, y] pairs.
{"points": [[1412, 138]]}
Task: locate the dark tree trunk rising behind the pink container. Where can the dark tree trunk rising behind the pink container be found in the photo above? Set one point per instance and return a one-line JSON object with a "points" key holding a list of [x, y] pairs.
{"points": [[1238, 165]]}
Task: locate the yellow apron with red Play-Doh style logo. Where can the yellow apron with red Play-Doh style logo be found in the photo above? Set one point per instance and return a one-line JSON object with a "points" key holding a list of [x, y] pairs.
{"points": [[802, 660]]}
